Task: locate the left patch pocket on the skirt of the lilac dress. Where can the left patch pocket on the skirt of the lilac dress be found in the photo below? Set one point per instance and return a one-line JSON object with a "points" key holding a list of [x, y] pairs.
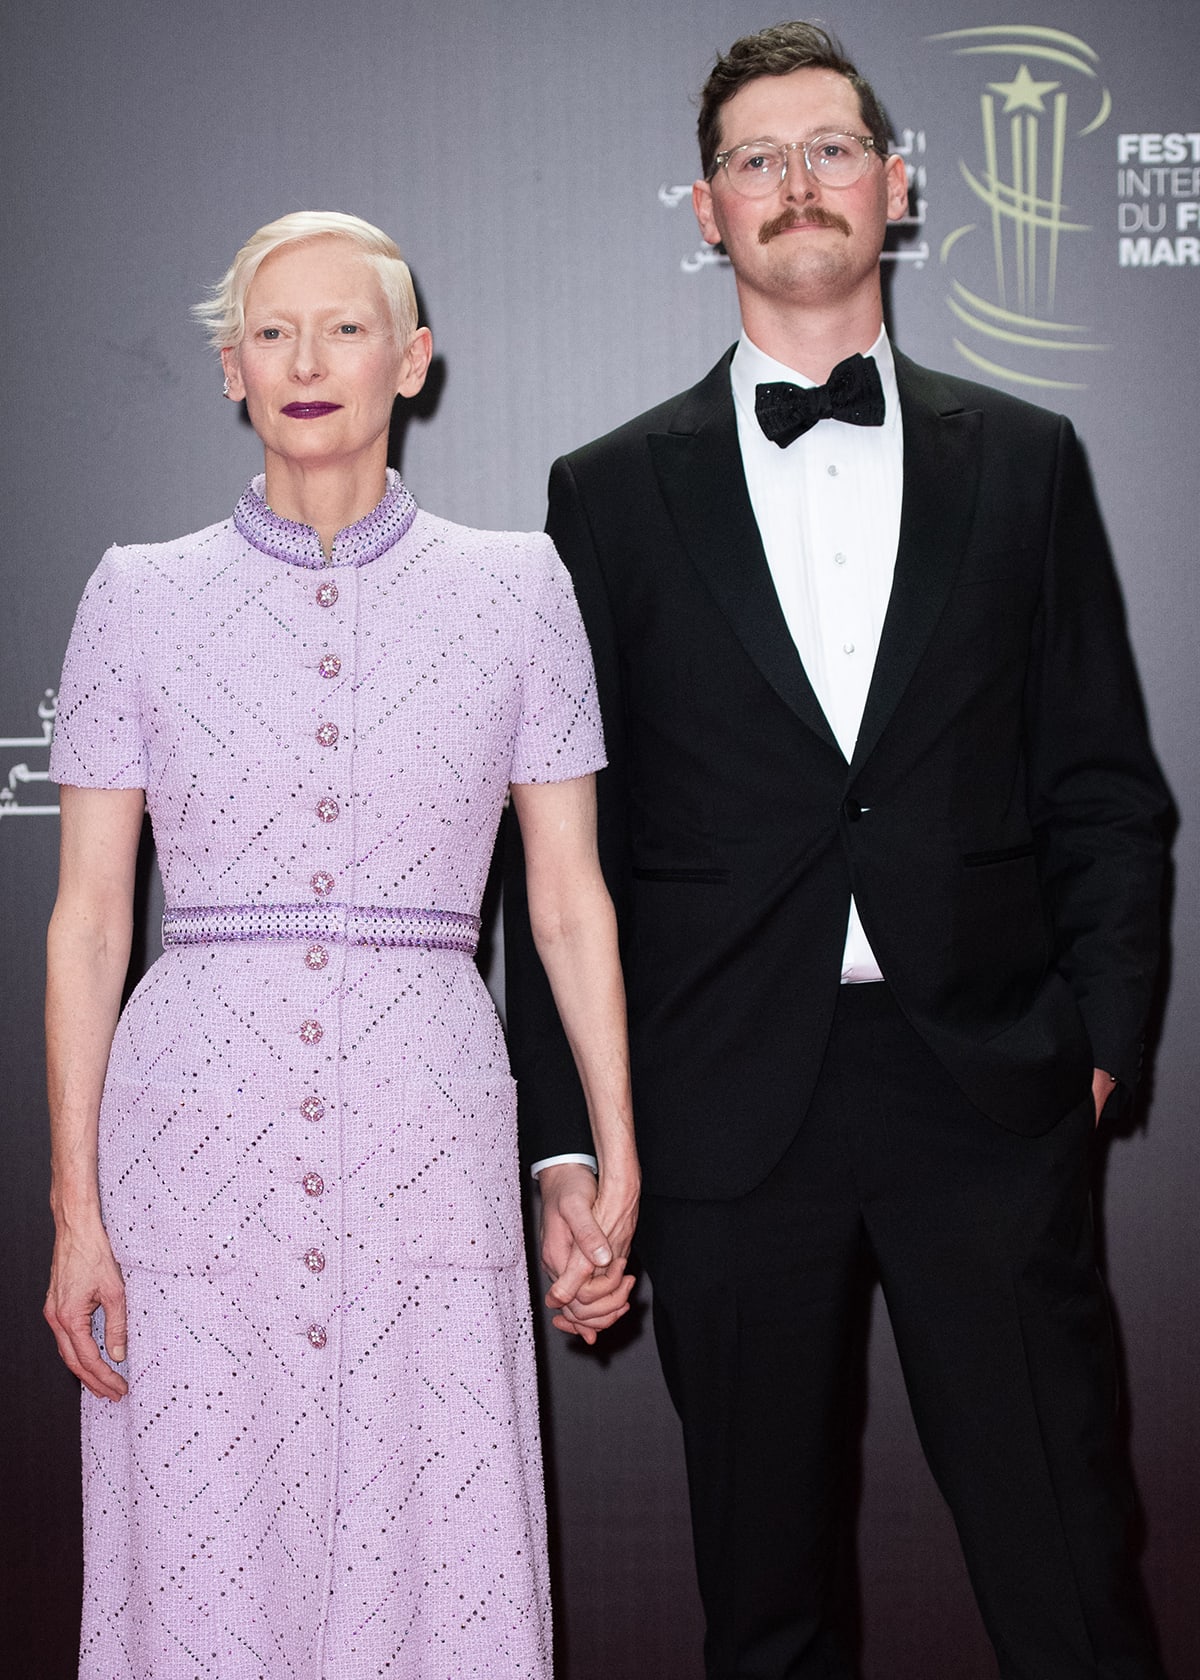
{"points": [[172, 1168]]}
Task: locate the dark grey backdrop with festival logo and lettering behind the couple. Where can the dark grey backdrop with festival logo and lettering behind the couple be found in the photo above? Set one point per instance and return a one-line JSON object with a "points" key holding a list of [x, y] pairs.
{"points": [[527, 157]]}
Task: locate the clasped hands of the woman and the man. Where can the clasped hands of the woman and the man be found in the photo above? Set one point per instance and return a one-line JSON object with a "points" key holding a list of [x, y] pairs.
{"points": [[587, 1231]]}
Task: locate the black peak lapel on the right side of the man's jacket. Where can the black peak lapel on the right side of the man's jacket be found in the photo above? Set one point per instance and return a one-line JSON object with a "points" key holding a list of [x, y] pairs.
{"points": [[940, 483]]}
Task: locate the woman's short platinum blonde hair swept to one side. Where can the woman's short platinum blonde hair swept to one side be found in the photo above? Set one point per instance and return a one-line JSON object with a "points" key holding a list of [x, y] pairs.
{"points": [[224, 313]]}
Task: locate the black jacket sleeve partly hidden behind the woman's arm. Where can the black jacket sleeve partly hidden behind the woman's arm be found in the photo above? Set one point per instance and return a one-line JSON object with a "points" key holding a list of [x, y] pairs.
{"points": [[550, 1101]]}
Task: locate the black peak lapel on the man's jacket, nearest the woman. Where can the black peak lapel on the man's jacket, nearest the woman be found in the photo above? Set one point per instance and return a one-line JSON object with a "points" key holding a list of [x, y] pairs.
{"points": [[703, 485]]}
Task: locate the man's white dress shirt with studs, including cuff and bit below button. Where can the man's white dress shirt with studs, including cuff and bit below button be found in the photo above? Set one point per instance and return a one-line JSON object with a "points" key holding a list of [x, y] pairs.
{"points": [[828, 510]]}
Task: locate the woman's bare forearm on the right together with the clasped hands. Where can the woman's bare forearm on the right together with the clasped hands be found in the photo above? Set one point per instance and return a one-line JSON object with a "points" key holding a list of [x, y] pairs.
{"points": [[576, 933]]}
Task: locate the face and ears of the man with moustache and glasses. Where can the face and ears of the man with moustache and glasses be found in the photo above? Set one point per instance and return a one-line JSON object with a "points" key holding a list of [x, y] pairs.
{"points": [[806, 243]]}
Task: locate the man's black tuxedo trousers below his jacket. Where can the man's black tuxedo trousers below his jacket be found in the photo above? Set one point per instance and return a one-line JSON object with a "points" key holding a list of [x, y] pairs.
{"points": [[984, 1247]]}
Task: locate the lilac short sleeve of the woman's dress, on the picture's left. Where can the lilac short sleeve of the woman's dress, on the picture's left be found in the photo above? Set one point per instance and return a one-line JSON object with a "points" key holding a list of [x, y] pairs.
{"points": [[98, 738]]}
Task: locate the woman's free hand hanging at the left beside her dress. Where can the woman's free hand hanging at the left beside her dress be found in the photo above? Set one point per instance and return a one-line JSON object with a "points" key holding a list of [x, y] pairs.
{"points": [[83, 1278]]}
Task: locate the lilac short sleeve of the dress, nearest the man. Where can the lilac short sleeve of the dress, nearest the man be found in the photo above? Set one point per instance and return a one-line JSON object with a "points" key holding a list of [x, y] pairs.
{"points": [[559, 735]]}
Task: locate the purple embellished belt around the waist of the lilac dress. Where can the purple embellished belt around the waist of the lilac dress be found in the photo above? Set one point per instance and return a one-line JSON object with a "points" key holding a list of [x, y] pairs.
{"points": [[339, 923]]}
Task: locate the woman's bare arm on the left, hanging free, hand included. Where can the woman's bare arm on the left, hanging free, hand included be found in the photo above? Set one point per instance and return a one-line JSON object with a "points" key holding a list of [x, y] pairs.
{"points": [[87, 962]]}
